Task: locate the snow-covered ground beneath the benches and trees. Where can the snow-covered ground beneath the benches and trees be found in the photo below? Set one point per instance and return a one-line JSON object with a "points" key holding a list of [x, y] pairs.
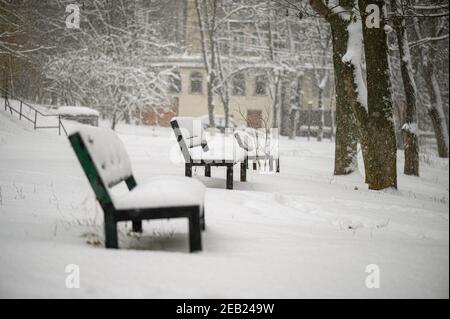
{"points": [[298, 234]]}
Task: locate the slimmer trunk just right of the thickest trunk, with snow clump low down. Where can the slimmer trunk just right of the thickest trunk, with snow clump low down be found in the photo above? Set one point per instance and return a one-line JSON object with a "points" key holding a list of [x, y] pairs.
{"points": [[410, 127]]}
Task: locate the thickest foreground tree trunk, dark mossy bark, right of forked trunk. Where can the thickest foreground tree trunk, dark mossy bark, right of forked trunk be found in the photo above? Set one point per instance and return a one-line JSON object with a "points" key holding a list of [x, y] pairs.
{"points": [[381, 168]]}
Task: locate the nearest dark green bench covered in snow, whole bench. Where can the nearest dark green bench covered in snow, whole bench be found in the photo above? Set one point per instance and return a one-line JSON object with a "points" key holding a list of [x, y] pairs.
{"points": [[105, 162]]}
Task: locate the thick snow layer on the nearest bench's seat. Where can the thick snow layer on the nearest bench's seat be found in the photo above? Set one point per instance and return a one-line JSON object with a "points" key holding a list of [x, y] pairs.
{"points": [[163, 191]]}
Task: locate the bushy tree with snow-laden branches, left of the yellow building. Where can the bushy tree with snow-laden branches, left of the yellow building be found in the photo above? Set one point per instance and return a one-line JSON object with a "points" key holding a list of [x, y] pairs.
{"points": [[111, 67]]}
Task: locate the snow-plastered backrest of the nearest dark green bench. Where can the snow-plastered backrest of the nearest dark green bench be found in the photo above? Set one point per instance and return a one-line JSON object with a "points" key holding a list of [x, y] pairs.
{"points": [[104, 160]]}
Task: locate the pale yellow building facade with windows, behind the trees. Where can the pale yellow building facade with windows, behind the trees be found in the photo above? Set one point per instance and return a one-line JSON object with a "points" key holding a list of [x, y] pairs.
{"points": [[251, 102]]}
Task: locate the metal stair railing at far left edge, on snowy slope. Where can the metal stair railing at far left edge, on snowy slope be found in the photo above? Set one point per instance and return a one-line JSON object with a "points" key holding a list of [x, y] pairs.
{"points": [[23, 106]]}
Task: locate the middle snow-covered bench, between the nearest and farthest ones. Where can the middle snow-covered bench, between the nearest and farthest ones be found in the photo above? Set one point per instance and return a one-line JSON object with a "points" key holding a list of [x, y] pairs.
{"points": [[197, 151]]}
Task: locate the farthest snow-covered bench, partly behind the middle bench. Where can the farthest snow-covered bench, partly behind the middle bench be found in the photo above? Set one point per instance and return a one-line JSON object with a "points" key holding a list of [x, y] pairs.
{"points": [[258, 147]]}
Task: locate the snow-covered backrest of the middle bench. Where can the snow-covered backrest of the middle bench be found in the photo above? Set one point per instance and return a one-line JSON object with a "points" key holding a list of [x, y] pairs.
{"points": [[189, 134]]}
